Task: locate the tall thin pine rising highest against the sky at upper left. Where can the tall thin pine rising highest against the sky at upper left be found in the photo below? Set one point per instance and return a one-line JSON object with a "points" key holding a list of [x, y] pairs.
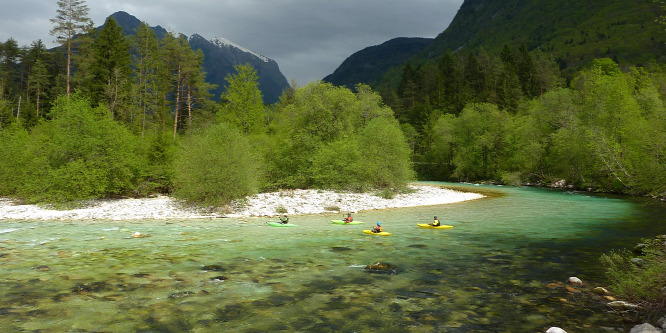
{"points": [[71, 19]]}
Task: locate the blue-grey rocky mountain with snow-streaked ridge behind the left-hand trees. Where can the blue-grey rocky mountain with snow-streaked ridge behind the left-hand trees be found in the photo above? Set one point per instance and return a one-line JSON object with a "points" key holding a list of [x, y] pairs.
{"points": [[220, 56]]}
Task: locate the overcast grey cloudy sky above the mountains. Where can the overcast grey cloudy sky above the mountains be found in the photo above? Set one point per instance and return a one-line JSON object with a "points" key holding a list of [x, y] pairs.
{"points": [[309, 39]]}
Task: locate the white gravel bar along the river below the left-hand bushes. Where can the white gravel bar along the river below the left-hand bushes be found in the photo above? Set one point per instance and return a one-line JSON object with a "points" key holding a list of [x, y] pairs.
{"points": [[294, 202]]}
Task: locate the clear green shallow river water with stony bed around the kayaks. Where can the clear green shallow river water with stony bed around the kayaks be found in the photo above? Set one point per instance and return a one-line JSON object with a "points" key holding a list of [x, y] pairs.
{"points": [[501, 268]]}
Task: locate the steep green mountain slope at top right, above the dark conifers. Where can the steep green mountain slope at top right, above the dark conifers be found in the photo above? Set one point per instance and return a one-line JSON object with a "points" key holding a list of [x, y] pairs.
{"points": [[574, 31]]}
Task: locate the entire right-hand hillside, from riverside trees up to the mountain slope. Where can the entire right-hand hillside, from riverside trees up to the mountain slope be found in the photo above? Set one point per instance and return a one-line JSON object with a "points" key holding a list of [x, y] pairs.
{"points": [[498, 109]]}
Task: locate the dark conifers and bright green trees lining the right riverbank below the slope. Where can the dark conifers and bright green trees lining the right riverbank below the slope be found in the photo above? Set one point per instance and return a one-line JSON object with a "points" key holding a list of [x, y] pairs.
{"points": [[512, 118]]}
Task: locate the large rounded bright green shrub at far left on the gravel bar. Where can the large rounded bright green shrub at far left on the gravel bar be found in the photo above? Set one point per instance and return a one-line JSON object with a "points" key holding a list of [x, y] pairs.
{"points": [[81, 154]]}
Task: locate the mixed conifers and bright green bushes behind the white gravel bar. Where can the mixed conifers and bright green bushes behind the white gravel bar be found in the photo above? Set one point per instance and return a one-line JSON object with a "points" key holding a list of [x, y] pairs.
{"points": [[135, 117]]}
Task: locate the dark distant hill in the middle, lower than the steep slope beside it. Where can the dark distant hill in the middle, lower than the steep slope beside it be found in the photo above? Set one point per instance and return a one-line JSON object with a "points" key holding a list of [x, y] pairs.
{"points": [[369, 64]]}
